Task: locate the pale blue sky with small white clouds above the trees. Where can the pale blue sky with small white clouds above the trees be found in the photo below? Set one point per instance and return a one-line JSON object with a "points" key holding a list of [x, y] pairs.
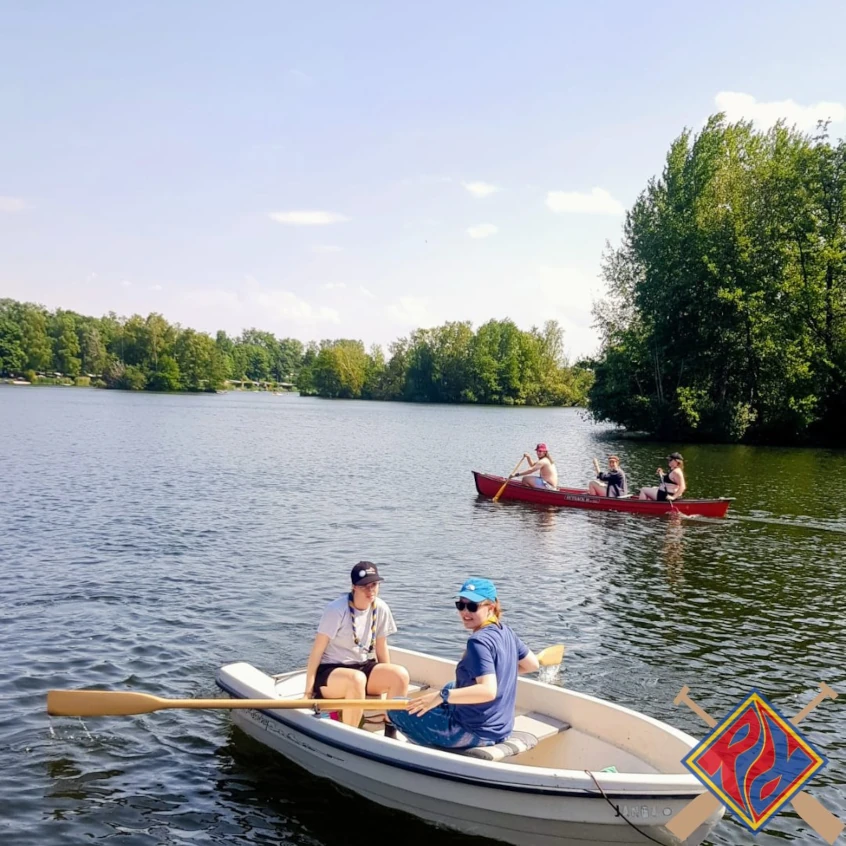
{"points": [[361, 169]]}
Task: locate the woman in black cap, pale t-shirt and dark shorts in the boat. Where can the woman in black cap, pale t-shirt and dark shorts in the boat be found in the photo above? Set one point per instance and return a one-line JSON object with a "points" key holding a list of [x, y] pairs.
{"points": [[350, 656]]}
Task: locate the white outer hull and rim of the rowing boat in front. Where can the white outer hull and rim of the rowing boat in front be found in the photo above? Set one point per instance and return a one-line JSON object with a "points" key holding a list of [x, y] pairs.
{"points": [[512, 803]]}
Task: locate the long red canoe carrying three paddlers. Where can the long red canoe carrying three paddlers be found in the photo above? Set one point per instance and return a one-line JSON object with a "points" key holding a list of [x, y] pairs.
{"points": [[488, 485]]}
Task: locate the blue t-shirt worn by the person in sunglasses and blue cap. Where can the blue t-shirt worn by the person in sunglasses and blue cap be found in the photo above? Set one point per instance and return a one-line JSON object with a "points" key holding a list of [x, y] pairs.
{"points": [[493, 649]]}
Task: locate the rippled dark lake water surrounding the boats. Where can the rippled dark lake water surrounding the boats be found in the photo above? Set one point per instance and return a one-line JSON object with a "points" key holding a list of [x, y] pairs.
{"points": [[149, 539]]}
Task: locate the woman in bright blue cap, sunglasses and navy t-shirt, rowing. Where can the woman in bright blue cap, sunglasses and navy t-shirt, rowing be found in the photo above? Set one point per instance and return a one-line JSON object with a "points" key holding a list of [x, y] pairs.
{"points": [[477, 709]]}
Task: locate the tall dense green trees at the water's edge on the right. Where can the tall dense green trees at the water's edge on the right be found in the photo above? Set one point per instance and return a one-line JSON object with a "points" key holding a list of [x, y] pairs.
{"points": [[726, 312]]}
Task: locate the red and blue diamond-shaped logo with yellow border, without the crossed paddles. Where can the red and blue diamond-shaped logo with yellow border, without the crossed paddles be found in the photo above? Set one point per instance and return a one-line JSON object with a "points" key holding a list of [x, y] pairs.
{"points": [[754, 761]]}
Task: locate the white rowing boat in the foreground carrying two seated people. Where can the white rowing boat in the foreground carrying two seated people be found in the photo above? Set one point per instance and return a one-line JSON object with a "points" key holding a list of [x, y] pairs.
{"points": [[541, 789]]}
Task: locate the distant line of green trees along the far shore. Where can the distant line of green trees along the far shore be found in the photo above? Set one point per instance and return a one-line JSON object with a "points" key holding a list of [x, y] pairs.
{"points": [[498, 364]]}
